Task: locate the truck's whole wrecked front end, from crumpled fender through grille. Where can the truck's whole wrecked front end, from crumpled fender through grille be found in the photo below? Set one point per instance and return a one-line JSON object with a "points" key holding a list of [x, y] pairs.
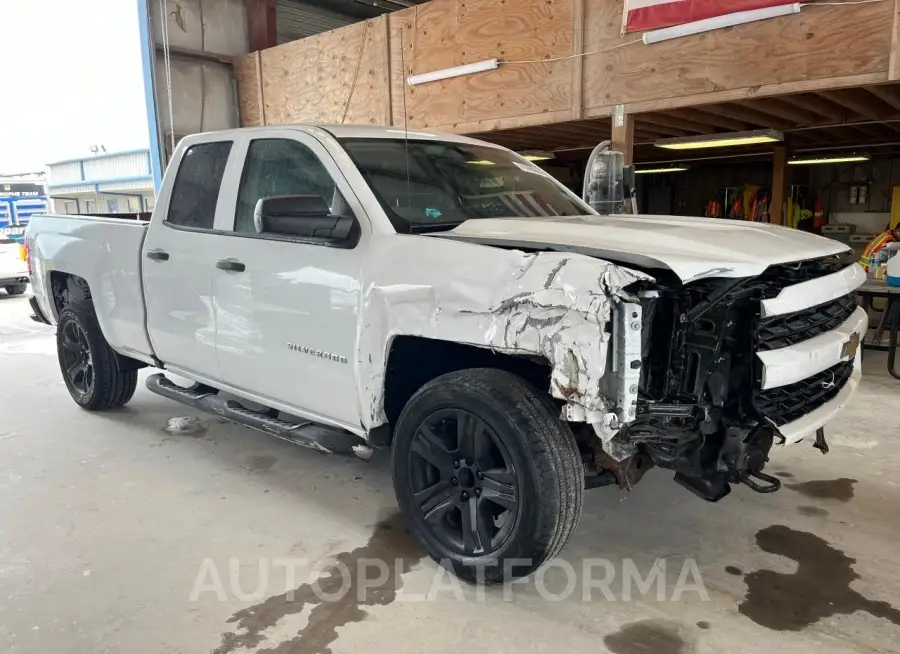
{"points": [[649, 370]]}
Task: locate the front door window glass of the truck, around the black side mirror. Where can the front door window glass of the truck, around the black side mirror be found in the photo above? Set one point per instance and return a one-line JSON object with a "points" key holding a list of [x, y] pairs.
{"points": [[281, 167]]}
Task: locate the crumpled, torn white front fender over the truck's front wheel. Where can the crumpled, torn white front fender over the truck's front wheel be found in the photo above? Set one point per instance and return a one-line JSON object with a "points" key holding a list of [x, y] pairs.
{"points": [[552, 304]]}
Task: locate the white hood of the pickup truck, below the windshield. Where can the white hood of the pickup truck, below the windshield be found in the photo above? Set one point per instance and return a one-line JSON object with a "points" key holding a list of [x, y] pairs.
{"points": [[692, 248]]}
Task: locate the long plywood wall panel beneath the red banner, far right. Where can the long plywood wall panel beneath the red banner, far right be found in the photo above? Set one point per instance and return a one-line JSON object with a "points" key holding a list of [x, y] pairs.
{"points": [[818, 43]]}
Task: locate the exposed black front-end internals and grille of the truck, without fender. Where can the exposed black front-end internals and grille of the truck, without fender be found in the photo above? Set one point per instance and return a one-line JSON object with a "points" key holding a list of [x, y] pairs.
{"points": [[703, 408]]}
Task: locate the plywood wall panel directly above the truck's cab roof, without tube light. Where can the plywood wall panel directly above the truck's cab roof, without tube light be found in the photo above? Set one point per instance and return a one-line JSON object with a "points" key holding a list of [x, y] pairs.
{"points": [[312, 80]]}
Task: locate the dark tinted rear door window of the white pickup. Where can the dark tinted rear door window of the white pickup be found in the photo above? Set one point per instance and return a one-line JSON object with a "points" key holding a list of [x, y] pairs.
{"points": [[196, 188]]}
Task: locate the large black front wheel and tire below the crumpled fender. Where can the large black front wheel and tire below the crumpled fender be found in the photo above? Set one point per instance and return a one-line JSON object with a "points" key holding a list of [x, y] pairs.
{"points": [[524, 464]]}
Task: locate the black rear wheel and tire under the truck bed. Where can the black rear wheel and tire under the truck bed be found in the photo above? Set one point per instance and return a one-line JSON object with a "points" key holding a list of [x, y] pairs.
{"points": [[87, 363]]}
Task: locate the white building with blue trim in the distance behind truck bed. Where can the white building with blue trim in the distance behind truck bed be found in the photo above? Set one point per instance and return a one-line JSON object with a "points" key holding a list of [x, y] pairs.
{"points": [[118, 182]]}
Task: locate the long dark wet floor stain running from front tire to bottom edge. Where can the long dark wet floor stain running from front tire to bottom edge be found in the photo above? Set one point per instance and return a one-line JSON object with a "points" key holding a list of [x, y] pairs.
{"points": [[390, 542]]}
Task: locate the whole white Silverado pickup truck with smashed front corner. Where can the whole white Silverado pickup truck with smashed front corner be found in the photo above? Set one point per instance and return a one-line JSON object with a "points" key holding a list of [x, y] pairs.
{"points": [[347, 287]]}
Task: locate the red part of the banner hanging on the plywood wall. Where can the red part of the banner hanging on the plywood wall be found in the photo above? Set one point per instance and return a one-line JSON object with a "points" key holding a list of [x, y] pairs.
{"points": [[641, 15]]}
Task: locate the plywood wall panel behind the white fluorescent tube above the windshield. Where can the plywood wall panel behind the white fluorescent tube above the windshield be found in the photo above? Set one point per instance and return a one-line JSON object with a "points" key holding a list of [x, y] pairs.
{"points": [[448, 33]]}
